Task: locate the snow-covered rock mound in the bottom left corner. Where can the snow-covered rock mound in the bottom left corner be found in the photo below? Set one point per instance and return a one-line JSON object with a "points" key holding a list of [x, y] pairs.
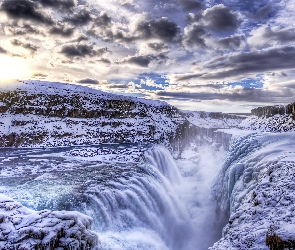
{"points": [[23, 228]]}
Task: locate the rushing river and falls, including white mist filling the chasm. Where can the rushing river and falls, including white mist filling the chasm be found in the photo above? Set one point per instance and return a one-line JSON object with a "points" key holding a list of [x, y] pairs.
{"points": [[137, 194]]}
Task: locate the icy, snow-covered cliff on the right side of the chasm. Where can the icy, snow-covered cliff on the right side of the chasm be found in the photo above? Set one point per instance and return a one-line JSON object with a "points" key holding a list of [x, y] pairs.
{"points": [[255, 189]]}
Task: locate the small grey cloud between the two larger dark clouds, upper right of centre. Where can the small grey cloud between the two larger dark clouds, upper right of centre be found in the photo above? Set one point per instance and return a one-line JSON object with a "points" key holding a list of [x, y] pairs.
{"points": [[194, 36]]}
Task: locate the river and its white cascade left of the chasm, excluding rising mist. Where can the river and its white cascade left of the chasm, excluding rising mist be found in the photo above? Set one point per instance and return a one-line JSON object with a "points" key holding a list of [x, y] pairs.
{"points": [[133, 205]]}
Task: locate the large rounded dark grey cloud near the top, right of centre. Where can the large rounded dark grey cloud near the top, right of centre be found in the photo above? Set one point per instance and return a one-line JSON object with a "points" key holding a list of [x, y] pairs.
{"points": [[221, 18]]}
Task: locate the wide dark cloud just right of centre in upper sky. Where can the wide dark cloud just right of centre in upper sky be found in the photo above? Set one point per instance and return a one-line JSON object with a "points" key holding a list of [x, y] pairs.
{"points": [[162, 29]]}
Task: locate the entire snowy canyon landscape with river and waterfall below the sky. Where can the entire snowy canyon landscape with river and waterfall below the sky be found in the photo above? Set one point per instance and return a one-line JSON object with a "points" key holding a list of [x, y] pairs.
{"points": [[84, 169]]}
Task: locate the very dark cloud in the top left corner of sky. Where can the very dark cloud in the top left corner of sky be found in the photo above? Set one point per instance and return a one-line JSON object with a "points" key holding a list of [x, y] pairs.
{"points": [[25, 9]]}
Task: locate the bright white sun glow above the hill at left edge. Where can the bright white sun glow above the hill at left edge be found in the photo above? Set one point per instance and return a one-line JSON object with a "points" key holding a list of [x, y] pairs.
{"points": [[12, 69]]}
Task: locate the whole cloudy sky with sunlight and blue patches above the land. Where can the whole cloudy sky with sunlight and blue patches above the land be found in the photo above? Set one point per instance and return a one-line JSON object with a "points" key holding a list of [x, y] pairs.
{"points": [[227, 56]]}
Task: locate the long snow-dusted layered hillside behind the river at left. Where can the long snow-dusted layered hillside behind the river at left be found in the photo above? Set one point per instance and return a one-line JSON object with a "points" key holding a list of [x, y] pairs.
{"points": [[48, 114]]}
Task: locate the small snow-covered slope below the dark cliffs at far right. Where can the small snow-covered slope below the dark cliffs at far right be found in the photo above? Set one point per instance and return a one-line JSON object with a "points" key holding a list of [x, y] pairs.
{"points": [[276, 123]]}
